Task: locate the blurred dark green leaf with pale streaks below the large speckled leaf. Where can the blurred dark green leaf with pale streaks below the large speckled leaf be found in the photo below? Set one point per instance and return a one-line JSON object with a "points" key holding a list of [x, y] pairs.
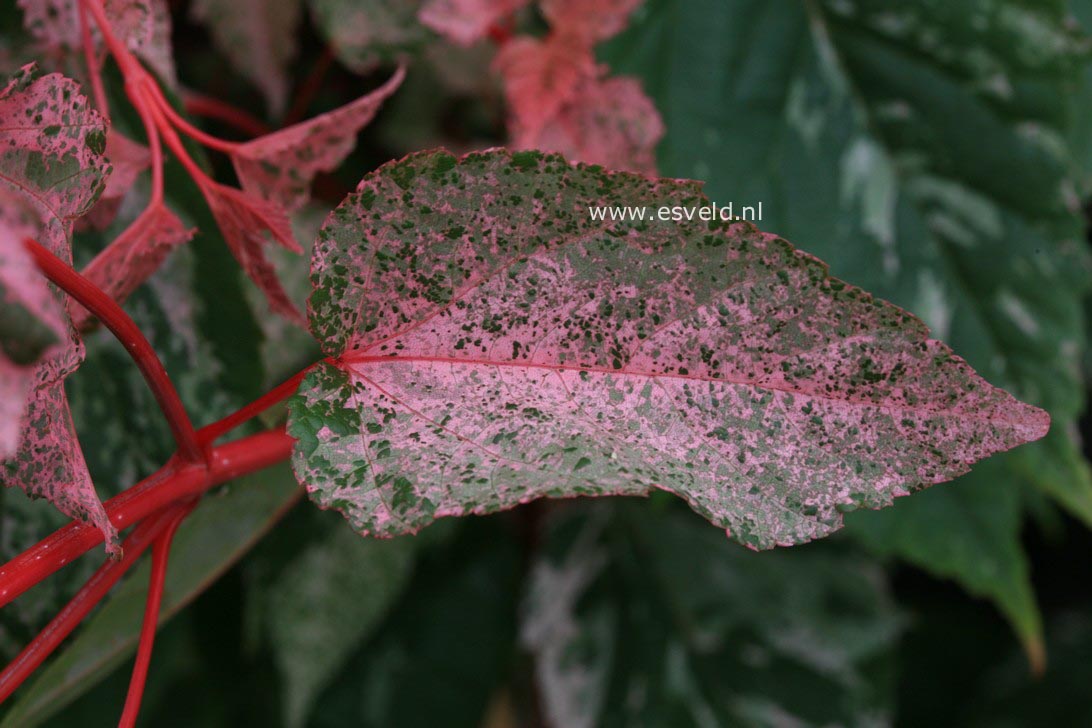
{"points": [[644, 618]]}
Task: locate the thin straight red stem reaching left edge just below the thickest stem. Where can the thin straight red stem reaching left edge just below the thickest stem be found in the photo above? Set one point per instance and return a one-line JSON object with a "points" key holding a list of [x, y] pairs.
{"points": [[75, 612]]}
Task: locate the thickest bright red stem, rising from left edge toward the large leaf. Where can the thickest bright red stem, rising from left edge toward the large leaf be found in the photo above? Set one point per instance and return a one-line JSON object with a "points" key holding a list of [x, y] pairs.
{"points": [[170, 485]]}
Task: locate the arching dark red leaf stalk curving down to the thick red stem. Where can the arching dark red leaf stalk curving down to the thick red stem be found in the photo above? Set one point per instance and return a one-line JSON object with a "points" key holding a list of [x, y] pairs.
{"points": [[129, 335]]}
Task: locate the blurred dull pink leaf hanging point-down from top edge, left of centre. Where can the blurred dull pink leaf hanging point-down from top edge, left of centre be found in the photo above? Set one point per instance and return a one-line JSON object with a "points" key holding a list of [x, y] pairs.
{"points": [[259, 38]]}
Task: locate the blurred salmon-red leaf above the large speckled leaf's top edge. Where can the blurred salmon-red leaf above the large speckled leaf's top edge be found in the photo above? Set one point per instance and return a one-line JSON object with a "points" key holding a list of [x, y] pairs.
{"points": [[541, 77]]}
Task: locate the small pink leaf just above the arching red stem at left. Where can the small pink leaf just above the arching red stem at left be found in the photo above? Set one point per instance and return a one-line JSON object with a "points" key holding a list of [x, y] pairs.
{"points": [[136, 255]]}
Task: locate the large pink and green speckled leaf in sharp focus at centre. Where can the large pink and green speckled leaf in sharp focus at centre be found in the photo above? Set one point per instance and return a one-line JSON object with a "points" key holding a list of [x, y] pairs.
{"points": [[494, 344]]}
